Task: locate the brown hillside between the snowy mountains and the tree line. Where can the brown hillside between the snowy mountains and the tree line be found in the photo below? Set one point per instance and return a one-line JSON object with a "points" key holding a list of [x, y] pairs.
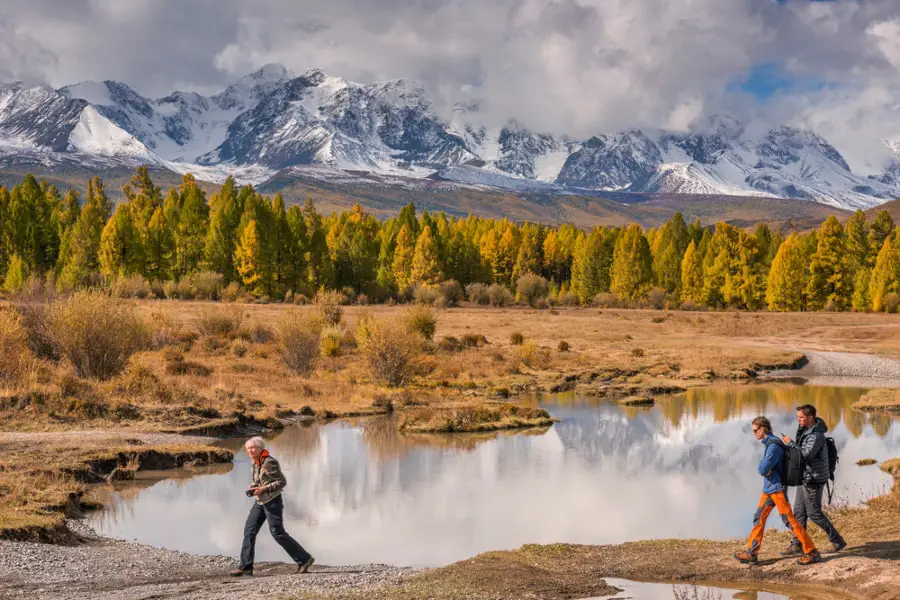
{"points": [[383, 200]]}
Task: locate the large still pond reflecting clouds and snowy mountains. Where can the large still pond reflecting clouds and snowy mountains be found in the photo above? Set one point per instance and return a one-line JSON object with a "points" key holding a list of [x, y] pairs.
{"points": [[362, 493]]}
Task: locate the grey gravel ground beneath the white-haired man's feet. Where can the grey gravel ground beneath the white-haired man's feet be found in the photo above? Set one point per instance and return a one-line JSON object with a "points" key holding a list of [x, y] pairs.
{"points": [[105, 569]]}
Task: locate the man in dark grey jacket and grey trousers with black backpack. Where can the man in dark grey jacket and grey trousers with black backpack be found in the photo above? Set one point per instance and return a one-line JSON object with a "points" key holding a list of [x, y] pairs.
{"points": [[808, 501]]}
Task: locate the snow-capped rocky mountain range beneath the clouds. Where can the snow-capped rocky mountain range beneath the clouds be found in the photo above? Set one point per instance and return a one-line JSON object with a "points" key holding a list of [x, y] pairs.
{"points": [[271, 121]]}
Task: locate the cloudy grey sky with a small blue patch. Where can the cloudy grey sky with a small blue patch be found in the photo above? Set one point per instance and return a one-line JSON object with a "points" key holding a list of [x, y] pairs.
{"points": [[574, 66]]}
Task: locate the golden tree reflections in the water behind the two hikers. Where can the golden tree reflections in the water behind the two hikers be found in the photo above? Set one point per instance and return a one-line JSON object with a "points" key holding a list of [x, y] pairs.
{"points": [[834, 405]]}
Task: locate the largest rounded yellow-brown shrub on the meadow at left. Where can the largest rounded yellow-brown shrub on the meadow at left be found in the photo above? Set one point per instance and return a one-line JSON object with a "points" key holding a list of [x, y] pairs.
{"points": [[97, 352]]}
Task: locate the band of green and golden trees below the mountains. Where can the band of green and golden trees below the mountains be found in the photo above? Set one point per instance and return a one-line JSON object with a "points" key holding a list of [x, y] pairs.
{"points": [[268, 249]]}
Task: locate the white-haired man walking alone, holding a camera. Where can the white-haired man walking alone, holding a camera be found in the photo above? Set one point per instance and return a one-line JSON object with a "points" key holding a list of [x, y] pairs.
{"points": [[266, 484]]}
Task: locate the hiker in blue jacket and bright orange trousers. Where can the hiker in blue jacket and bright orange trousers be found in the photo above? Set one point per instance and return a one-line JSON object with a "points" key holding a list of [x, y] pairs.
{"points": [[773, 496]]}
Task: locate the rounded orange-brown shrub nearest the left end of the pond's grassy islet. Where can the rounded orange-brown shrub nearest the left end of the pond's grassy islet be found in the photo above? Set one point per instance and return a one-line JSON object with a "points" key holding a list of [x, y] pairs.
{"points": [[391, 352]]}
